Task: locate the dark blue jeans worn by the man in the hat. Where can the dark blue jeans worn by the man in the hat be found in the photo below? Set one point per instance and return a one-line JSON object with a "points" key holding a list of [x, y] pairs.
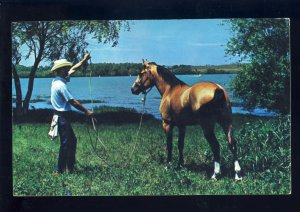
{"points": [[68, 143]]}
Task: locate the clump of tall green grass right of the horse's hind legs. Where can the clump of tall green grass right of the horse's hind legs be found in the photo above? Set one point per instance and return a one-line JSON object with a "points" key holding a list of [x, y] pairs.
{"points": [[265, 151]]}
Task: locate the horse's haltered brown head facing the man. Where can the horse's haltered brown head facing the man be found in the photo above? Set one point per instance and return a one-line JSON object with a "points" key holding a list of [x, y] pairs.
{"points": [[144, 80]]}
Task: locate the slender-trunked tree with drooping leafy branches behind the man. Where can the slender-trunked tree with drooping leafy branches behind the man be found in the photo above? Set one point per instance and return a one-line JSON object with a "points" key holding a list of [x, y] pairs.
{"points": [[48, 41]]}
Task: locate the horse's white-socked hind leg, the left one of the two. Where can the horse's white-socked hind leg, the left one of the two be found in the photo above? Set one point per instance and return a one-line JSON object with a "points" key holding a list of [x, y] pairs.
{"points": [[208, 130]]}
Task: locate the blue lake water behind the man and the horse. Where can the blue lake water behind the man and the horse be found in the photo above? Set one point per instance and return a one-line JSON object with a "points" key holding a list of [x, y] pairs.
{"points": [[115, 92]]}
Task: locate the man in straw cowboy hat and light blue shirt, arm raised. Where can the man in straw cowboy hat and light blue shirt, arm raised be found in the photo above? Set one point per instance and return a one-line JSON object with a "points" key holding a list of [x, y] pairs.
{"points": [[61, 100]]}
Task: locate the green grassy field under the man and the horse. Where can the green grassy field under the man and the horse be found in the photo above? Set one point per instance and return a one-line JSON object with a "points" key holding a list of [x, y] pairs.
{"points": [[264, 152]]}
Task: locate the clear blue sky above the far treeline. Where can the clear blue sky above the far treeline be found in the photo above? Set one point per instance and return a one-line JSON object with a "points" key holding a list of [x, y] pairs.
{"points": [[166, 42]]}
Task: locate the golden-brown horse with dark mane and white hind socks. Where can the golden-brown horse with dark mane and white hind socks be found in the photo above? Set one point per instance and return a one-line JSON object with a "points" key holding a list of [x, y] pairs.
{"points": [[205, 104]]}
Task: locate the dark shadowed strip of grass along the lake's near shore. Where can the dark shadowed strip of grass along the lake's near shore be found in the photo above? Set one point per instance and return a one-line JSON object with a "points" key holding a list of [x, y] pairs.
{"points": [[121, 116]]}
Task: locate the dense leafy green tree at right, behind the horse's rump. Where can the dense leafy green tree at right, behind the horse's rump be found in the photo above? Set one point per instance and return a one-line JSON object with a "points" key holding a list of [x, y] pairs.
{"points": [[263, 46]]}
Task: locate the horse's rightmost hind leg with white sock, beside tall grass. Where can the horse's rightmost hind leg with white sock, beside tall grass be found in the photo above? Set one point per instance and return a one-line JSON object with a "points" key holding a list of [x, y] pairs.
{"points": [[232, 143]]}
